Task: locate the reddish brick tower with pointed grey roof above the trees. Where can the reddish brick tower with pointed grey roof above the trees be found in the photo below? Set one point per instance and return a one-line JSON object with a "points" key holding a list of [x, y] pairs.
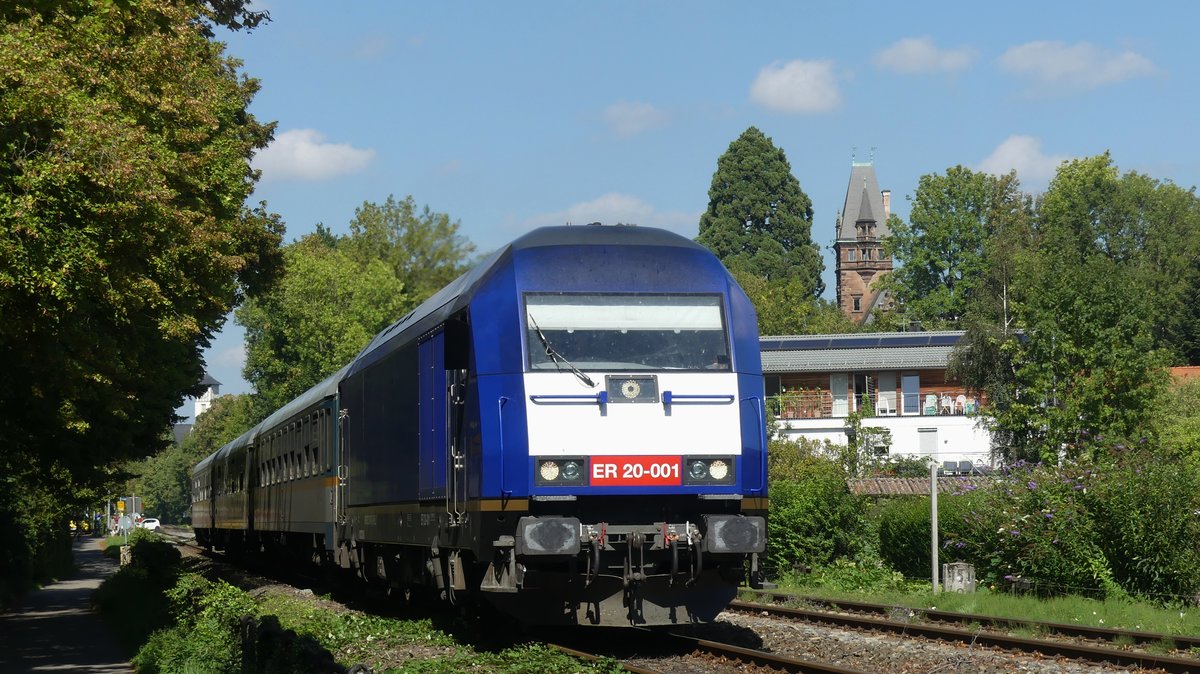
{"points": [[859, 246]]}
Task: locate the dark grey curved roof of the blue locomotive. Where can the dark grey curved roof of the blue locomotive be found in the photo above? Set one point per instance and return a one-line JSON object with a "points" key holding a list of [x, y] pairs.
{"points": [[458, 294]]}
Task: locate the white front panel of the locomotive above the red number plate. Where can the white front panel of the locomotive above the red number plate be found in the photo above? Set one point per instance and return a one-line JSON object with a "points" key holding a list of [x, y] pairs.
{"points": [[578, 428]]}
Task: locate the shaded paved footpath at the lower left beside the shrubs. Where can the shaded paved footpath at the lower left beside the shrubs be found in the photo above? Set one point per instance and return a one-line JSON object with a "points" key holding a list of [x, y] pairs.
{"points": [[55, 630]]}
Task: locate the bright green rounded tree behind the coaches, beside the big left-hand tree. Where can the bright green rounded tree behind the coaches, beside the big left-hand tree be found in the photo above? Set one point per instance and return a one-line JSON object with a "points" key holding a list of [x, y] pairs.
{"points": [[321, 315]]}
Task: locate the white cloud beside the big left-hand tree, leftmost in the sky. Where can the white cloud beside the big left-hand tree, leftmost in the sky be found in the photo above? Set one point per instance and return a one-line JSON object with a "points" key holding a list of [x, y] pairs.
{"points": [[303, 154]]}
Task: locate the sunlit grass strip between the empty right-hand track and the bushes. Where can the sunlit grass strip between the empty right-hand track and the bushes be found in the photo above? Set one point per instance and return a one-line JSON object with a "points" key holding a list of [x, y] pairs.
{"points": [[1126, 615]]}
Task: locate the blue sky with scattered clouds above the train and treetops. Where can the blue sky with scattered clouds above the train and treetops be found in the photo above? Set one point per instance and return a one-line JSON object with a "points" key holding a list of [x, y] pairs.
{"points": [[514, 116]]}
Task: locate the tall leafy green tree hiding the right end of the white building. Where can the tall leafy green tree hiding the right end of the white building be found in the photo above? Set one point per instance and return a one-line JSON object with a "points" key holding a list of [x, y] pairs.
{"points": [[1087, 372]]}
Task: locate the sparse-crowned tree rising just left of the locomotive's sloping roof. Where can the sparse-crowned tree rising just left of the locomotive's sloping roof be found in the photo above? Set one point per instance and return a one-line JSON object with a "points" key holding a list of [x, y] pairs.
{"points": [[423, 249]]}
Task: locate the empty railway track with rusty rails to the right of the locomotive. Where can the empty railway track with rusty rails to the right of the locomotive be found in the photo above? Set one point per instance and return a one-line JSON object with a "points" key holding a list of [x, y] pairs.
{"points": [[841, 615]]}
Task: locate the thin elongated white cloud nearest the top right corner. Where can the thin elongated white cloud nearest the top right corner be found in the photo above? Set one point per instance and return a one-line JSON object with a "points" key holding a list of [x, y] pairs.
{"points": [[1077, 67]]}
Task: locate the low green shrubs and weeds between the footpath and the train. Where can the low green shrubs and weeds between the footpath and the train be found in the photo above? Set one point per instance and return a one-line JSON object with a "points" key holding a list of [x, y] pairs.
{"points": [[176, 621]]}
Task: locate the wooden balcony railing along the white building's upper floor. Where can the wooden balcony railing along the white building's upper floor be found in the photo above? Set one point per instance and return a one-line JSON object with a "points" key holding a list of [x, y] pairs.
{"points": [[824, 405]]}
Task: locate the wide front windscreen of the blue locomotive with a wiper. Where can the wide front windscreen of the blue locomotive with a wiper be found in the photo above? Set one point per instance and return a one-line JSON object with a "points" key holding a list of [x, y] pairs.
{"points": [[627, 333]]}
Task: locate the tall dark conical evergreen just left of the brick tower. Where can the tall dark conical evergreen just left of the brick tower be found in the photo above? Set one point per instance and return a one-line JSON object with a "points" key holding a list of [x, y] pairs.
{"points": [[759, 220]]}
